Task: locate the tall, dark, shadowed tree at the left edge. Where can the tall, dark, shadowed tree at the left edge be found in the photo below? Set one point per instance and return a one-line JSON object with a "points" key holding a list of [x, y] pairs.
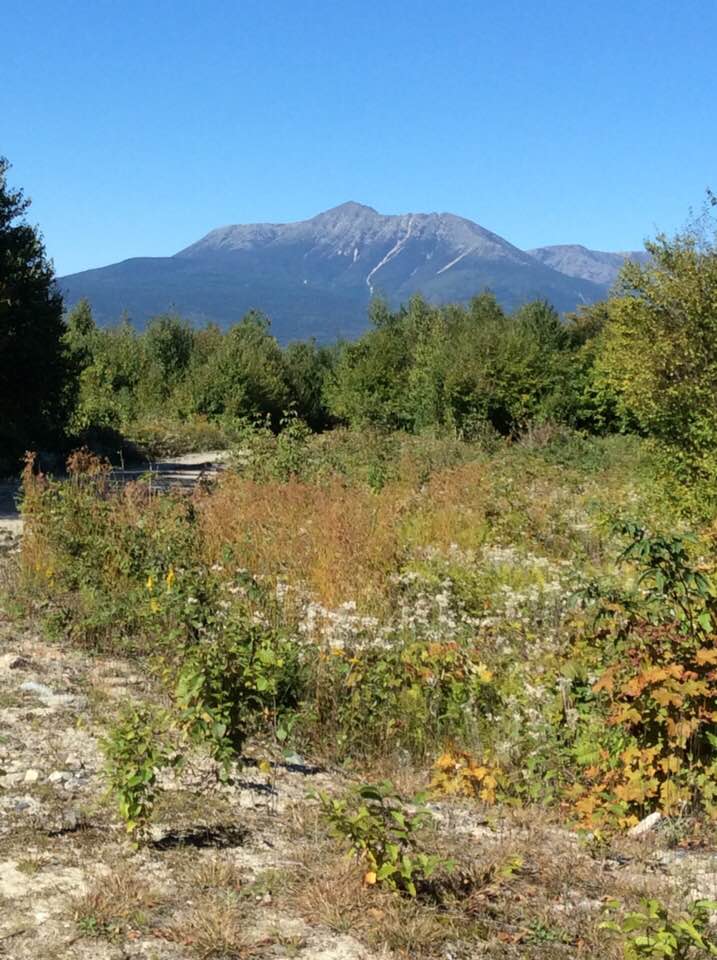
{"points": [[35, 387]]}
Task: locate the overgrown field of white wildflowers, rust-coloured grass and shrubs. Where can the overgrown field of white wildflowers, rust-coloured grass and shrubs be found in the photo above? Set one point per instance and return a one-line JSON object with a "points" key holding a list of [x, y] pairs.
{"points": [[524, 630]]}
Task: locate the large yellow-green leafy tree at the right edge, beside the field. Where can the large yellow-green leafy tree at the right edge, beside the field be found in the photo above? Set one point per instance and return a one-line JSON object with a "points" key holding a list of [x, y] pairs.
{"points": [[660, 348]]}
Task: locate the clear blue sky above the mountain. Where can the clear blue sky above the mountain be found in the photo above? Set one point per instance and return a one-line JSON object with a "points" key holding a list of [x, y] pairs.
{"points": [[136, 127]]}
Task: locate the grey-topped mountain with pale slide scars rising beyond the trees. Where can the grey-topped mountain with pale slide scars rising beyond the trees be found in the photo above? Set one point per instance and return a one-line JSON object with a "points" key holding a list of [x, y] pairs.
{"points": [[316, 277]]}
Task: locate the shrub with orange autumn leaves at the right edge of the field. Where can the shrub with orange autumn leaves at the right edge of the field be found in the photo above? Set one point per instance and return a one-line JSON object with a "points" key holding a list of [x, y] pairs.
{"points": [[659, 687]]}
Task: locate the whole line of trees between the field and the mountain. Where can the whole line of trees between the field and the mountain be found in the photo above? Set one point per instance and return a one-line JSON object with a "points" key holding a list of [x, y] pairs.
{"points": [[644, 360]]}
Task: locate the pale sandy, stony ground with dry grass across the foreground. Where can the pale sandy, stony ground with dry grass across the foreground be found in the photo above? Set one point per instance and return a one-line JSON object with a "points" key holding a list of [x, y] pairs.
{"points": [[246, 869]]}
